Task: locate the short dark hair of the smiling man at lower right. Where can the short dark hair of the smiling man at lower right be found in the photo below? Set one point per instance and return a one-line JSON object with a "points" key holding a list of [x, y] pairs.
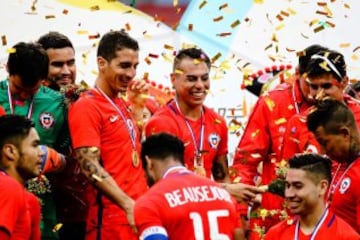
{"points": [[318, 166]]}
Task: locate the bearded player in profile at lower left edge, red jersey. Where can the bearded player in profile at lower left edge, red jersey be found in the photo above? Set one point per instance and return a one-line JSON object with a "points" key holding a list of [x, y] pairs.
{"points": [[20, 160]]}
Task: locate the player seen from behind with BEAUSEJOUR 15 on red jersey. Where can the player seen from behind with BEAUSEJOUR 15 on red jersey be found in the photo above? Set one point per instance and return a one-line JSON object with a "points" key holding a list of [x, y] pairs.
{"points": [[180, 204]]}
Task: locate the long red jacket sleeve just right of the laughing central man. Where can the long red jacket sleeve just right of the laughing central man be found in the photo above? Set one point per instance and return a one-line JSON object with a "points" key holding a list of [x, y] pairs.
{"points": [[254, 144]]}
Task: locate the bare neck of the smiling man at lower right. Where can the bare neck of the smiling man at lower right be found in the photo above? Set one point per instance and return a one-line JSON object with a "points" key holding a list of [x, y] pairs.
{"points": [[309, 221]]}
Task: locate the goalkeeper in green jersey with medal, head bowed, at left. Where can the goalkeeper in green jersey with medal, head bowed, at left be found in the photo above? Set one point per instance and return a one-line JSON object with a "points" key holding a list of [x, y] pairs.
{"points": [[23, 94]]}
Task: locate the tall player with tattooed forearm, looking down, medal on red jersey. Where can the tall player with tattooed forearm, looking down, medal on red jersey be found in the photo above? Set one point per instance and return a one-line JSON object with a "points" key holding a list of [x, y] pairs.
{"points": [[107, 141]]}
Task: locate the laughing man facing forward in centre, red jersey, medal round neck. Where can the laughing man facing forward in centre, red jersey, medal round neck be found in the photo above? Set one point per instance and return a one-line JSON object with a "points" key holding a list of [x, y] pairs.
{"points": [[202, 130]]}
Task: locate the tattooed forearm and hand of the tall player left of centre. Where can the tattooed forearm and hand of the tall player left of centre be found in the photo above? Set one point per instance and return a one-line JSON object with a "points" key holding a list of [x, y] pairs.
{"points": [[89, 159]]}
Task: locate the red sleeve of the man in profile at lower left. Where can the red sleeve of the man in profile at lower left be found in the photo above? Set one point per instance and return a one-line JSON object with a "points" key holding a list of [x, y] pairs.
{"points": [[11, 199]]}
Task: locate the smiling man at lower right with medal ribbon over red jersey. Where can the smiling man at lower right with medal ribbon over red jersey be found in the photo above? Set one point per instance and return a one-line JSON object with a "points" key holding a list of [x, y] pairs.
{"points": [[307, 182]]}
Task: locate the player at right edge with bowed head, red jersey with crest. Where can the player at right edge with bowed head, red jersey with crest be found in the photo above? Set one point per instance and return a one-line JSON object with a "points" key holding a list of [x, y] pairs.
{"points": [[334, 126]]}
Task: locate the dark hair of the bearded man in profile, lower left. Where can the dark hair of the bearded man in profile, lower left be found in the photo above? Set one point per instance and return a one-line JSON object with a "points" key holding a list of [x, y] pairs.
{"points": [[13, 129]]}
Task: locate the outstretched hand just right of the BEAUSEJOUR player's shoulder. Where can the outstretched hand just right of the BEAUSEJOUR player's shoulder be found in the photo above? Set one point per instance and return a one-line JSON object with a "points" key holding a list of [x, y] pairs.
{"points": [[243, 193]]}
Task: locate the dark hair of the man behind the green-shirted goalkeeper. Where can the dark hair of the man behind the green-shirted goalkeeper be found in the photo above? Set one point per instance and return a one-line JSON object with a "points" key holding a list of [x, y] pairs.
{"points": [[54, 40]]}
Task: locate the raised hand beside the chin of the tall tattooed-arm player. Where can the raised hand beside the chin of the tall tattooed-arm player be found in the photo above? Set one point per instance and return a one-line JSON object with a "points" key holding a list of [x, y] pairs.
{"points": [[137, 92]]}
